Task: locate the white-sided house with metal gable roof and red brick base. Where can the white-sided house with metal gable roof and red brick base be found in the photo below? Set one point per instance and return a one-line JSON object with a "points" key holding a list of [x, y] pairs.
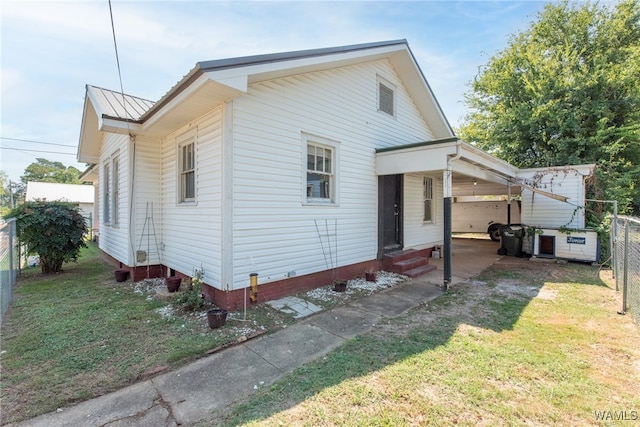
{"points": [[301, 167]]}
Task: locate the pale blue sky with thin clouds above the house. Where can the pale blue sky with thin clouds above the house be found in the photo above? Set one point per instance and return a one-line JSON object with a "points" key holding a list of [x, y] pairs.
{"points": [[52, 49]]}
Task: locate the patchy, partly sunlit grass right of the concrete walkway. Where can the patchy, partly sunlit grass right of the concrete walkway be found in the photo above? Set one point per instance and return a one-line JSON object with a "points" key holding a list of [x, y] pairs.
{"points": [[523, 344]]}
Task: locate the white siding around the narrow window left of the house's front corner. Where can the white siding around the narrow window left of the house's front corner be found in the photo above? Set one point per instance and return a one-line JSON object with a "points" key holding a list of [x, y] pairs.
{"points": [[191, 233]]}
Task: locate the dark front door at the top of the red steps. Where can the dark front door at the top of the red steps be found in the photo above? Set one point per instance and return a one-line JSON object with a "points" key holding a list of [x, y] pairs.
{"points": [[390, 212]]}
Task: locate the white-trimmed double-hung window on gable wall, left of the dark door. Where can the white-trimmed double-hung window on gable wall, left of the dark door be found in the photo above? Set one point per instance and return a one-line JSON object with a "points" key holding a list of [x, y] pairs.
{"points": [[321, 170]]}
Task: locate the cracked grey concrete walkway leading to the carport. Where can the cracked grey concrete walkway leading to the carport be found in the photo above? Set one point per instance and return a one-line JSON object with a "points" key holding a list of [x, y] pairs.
{"points": [[189, 394]]}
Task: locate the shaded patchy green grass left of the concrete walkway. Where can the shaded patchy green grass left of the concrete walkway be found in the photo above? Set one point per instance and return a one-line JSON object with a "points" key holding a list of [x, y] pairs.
{"points": [[80, 334]]}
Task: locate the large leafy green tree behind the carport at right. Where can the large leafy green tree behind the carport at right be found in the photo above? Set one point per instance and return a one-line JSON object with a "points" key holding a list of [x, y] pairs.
{"points": [[567, 91]]}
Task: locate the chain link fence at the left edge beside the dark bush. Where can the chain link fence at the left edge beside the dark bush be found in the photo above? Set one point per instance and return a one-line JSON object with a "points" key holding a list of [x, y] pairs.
{"points": [[9, 263]]}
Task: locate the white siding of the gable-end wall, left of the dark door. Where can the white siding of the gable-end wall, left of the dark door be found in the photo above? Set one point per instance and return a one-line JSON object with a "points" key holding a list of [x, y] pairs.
{"points": [[276, 235]]}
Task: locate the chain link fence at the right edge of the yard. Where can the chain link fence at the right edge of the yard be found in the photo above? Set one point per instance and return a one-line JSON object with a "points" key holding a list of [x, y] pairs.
{"points": [[626, 262]]}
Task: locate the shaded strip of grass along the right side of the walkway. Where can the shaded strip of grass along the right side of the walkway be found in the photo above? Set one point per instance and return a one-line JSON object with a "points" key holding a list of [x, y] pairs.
{"points": [[510, 289]]}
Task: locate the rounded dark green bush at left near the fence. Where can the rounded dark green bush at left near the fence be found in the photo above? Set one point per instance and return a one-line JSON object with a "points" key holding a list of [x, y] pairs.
{"points": [[53, 230]]}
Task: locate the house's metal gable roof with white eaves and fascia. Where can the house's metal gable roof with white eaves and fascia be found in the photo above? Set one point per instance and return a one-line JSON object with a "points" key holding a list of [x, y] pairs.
{"points": [[214, 82]]}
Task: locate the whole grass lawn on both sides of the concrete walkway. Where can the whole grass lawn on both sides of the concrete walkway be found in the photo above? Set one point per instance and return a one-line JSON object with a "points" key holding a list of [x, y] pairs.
{"points": [[524, 344]]}
